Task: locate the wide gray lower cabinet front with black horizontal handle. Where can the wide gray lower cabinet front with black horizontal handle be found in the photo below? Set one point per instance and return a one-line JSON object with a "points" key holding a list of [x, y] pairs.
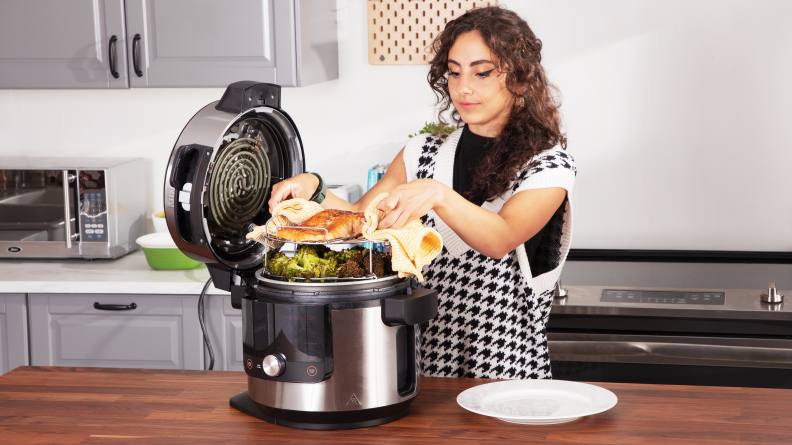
{"points": [[161, 332]]}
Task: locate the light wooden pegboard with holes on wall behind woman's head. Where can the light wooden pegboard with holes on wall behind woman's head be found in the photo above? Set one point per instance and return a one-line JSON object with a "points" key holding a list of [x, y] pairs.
{"points": [[400, 31]]}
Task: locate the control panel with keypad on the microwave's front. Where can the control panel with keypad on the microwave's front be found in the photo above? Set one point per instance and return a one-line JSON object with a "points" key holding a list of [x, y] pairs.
{"points": [[93, 206]]}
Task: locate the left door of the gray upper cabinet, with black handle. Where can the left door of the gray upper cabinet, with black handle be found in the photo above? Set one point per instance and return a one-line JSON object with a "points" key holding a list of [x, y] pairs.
{"points": [[61, 44]]}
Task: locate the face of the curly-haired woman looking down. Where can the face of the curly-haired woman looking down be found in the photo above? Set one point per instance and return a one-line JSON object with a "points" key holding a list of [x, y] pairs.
{"points": [[478, 90]]}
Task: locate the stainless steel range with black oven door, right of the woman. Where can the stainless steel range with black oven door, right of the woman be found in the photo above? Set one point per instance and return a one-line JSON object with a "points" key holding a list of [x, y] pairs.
{"points": [[715, 336]]}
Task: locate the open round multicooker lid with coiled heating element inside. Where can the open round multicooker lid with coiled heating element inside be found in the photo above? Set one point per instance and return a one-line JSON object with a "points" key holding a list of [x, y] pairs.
{"points": [[222, 169]]}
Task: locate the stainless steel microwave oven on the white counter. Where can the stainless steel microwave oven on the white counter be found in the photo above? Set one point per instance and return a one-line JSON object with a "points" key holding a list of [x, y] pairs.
{"points": [[71, 207]]}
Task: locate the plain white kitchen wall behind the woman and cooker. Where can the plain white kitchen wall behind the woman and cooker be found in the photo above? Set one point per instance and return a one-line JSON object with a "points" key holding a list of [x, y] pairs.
{"points": [[676, 111]]}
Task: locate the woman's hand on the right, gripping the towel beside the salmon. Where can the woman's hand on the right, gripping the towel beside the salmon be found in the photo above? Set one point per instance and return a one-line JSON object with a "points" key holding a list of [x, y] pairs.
{"points": [[410, 201]]}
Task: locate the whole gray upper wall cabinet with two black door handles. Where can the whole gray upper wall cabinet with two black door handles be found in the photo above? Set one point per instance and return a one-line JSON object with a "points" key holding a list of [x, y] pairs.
{"points": [[166, 43]]}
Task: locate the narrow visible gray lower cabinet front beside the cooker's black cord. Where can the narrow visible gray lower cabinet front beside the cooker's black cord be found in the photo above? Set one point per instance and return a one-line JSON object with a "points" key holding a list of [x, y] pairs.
{"points": [[224, 325]]}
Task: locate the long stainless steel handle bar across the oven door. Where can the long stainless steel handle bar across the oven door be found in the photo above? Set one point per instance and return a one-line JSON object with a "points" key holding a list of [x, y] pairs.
{"points": [[708, 352]]}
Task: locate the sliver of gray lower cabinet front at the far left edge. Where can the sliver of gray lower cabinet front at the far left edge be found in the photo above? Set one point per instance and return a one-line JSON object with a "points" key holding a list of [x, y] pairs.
{"points": [[13, 332]]}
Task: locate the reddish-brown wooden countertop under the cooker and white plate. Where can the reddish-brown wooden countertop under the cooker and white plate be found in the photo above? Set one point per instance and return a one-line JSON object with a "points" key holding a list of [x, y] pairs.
{"points": [[118, 406]]}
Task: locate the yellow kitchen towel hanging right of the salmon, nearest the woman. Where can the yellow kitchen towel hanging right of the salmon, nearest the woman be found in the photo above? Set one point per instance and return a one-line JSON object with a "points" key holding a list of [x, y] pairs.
{"points": [[412, 247]]}
